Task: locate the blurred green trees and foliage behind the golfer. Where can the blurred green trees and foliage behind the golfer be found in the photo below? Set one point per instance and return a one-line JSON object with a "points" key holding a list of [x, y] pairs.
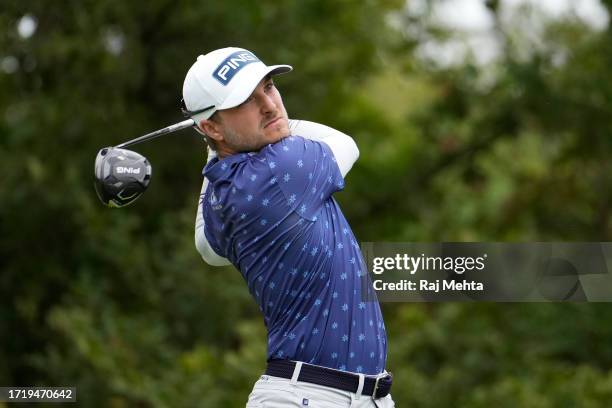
{"points": [[476, 120]]}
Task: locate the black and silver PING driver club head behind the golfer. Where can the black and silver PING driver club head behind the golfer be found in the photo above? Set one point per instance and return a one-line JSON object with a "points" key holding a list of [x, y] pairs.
{"points": [[120, 176]]}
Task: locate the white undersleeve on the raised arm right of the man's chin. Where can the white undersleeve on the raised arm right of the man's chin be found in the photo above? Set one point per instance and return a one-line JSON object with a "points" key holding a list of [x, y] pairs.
{"points": [[342, 146]]}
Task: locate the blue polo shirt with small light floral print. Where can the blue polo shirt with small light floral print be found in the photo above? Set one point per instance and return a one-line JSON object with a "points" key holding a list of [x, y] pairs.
{"points": [[272, 214]]}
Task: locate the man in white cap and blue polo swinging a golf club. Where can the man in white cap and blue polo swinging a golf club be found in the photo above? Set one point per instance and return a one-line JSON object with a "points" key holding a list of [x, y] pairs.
{"points": [[267, 208]]}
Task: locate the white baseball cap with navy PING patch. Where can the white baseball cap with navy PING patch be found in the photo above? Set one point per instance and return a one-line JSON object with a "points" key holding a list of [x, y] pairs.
{"points": [[223, 79]]}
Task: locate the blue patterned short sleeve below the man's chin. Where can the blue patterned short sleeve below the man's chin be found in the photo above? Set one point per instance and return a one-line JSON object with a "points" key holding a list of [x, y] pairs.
{"points": [[306, 172]]}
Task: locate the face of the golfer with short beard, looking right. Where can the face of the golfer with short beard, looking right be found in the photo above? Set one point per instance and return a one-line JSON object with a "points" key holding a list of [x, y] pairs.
{"points": [[257, 122]]}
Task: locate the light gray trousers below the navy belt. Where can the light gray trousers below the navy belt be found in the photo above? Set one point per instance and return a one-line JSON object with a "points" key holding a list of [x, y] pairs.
{"points": [[276, 392]]}
